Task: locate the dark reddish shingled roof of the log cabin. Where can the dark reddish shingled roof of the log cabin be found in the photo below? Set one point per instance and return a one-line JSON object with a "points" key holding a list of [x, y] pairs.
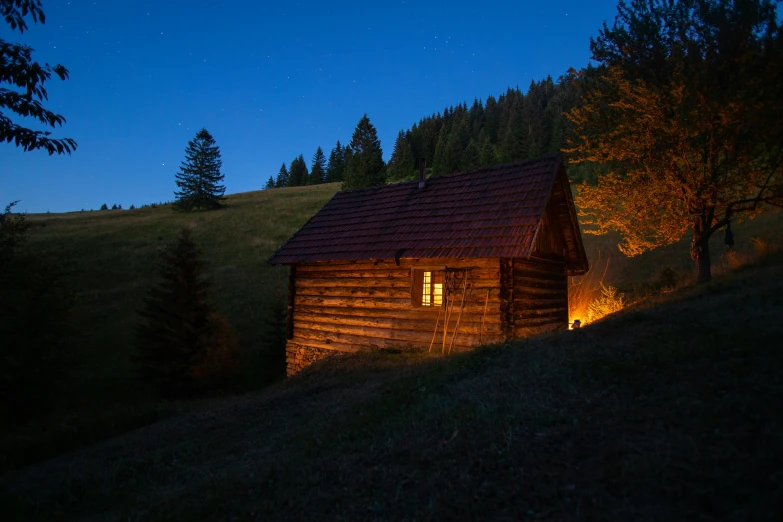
{"points": [[490, 212]]}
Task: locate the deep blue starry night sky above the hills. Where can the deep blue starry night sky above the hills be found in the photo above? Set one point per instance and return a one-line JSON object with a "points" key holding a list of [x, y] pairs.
{"points": [[269, 80]]}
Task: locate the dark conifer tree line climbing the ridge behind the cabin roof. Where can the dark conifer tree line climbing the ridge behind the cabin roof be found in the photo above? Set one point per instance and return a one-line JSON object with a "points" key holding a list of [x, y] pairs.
{"points": [[510, 127]]}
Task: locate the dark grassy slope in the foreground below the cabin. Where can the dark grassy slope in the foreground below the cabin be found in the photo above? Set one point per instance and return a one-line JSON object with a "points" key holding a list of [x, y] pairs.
{"points": [[668, 411]]}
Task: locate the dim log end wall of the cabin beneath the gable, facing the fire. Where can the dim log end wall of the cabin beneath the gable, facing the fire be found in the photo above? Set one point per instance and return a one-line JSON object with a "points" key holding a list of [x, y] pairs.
{"points": [[540, 295]]}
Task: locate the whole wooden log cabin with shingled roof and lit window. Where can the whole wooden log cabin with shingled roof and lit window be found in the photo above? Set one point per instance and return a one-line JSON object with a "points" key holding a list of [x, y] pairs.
{"points": [[445, 263]]}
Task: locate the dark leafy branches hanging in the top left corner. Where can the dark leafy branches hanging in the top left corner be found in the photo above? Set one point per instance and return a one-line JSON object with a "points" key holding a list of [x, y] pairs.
{"points": [[22, 90]]}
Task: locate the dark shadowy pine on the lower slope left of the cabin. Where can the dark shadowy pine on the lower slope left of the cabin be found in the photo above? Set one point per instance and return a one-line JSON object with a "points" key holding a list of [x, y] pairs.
{"points": [[180, 327]]}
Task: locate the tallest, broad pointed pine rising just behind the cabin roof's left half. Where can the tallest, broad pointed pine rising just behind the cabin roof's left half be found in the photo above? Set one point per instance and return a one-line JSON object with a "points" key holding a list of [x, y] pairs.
{"points": [[365, 167]]}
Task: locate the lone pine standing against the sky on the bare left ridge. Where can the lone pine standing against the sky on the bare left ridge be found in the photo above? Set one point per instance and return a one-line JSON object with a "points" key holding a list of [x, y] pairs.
{"points": [[199, 176]]}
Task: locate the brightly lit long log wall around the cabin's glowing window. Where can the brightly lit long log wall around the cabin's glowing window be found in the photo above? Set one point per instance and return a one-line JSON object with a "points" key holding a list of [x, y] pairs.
{"points": [[346, 306]]}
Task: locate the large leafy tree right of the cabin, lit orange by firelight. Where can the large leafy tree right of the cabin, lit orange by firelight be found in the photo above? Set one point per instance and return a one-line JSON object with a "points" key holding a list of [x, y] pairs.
{"points": [[682, 118]]}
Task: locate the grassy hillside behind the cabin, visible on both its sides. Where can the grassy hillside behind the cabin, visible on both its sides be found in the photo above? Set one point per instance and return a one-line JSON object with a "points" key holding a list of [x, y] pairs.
{"points": [[113, 258]]}
